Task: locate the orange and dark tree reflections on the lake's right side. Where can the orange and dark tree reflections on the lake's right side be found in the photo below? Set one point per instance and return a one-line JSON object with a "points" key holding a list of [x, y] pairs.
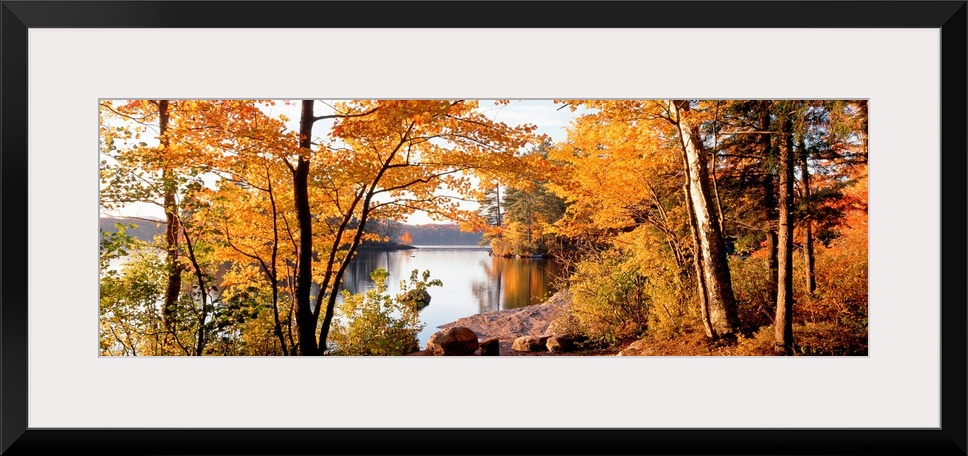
{"points": [[514, 283]]}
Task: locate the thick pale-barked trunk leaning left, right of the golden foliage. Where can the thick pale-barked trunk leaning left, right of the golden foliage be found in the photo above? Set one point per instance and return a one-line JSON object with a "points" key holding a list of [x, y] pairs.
{"points": [[723, 318]]}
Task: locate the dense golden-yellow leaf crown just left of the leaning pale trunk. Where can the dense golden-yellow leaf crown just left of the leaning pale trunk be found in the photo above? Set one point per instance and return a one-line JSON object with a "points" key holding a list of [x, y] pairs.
{"points": [[615, 168]]}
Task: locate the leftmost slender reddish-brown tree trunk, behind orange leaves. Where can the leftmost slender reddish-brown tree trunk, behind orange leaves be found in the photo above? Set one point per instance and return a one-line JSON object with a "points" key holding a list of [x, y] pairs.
{"points": [[173, 286]]}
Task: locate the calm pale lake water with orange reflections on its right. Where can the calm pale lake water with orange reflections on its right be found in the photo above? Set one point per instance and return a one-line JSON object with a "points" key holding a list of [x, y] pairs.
{"points": [[474, 281]]}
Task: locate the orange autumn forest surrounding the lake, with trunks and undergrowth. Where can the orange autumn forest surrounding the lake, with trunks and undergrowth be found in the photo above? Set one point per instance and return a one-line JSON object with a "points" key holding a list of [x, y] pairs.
{"points": [[731, 225]]}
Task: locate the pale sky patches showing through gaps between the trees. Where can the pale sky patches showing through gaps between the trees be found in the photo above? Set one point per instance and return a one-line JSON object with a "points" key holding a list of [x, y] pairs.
{"points": [[544, 114]]}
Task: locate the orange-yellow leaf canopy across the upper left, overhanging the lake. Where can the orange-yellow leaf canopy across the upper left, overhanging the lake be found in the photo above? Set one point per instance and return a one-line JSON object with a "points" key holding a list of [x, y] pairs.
{"points": [[407, 152]]}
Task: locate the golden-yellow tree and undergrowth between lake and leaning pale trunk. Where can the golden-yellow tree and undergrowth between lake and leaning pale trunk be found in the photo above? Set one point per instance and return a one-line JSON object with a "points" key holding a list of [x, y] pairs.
{"points": [[621, 174]]}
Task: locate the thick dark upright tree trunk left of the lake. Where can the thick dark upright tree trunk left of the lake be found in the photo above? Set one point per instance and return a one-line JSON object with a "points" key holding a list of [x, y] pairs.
{"points": [[305, 319]]}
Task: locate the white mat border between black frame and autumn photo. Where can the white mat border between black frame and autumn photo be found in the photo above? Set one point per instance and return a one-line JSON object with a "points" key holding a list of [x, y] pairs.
{"points": [[898, 385]]}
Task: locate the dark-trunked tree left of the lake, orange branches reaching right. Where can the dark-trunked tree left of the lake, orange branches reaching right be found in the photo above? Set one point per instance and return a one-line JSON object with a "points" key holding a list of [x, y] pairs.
{"points": [[397, 154]]}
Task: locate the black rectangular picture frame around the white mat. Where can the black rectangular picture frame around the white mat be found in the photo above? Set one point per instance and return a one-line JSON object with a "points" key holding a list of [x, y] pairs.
{"points": [[18, 16]]}
